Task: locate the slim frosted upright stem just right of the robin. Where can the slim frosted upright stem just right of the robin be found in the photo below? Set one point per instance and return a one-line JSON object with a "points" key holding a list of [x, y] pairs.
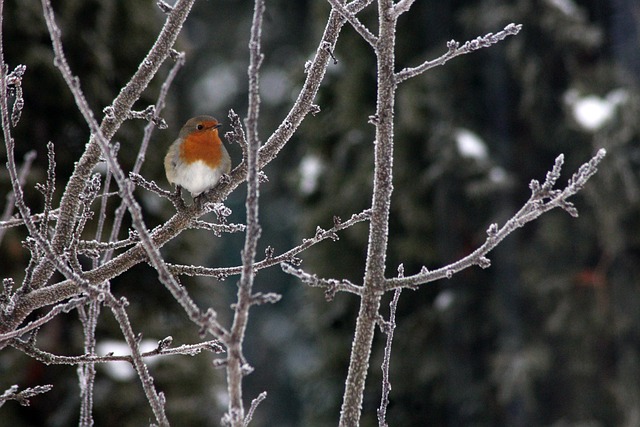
{"points": [[234, 343]]}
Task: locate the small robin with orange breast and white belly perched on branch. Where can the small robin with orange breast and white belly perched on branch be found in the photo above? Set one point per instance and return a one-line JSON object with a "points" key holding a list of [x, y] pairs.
{"points": [[197, 158]]}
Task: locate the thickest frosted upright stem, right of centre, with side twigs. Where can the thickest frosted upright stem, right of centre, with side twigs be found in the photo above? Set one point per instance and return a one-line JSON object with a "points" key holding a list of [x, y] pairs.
{"points": [[379, 226]]}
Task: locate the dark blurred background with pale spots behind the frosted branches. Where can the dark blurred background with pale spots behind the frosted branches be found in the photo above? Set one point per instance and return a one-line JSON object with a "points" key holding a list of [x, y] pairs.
{"points": [[548, 336]]}
